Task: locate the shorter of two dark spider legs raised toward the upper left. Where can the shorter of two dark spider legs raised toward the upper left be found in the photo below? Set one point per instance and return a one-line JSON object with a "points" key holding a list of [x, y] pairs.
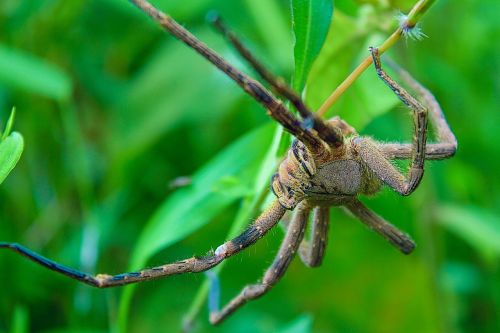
{"points": [[326, 131]]}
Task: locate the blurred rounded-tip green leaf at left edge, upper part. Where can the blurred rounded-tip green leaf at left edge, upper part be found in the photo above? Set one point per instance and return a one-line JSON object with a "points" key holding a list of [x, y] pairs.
{"points": [[23, 71]]}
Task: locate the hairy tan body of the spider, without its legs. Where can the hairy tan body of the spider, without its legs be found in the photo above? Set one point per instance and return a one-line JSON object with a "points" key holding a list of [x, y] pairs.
{"points": [[330, 181]]}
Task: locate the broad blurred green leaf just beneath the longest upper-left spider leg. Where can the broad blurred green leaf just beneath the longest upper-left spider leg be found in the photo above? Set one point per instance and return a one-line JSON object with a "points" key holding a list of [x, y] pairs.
{"points": [[144, 114]]}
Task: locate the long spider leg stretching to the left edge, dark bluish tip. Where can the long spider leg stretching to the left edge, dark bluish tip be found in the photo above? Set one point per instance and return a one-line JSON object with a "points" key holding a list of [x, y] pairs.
{"points": [[253, 233]]}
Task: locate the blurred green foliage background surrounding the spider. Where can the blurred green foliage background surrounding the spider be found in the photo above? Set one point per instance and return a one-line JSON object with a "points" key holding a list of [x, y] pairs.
{"points": [[113, 110]]}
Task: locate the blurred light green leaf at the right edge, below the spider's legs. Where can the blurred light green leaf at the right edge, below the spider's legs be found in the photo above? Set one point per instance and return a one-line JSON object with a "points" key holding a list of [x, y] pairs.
{"points": [[481, 229]]}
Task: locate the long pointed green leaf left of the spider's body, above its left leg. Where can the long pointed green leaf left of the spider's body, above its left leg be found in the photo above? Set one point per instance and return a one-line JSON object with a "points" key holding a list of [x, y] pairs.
{"points": [[190, 208]]}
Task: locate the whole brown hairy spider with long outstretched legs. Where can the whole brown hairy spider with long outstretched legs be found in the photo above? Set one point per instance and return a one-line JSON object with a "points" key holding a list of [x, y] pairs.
{"points": [[328, 164]]}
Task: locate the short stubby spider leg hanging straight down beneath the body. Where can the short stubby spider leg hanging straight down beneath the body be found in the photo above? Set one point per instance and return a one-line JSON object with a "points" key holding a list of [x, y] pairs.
{"points": [[312, 252]]}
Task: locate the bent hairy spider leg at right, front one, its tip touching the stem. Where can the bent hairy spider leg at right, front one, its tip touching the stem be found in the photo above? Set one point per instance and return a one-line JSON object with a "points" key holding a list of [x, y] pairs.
{"points": [[374, 158]]}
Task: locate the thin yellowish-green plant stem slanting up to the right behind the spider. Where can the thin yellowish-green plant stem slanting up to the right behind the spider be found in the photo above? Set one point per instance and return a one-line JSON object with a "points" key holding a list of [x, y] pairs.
{"points": [[409, 23]]}
